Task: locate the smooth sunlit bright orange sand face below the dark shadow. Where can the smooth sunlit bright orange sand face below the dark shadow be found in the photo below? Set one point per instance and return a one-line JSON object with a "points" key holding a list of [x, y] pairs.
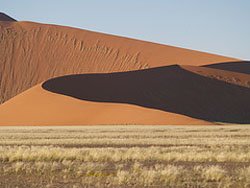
{"points": [[40, 107]]}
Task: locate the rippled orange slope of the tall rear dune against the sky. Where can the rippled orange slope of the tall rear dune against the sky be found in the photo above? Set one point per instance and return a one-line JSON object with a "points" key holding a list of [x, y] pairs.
{"points": [[31, 53]]}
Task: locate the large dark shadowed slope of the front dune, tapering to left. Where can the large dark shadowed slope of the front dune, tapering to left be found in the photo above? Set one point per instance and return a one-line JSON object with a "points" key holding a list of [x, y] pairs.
{"points": [[170, 88]]}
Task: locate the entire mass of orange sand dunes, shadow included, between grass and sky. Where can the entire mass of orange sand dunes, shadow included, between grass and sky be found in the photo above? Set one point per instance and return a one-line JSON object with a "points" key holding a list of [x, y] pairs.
{"points": [[71, 76]]}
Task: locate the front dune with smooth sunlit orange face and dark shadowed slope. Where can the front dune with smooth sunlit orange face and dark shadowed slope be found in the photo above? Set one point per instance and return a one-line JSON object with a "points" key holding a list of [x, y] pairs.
{"points": [[172, 93]]}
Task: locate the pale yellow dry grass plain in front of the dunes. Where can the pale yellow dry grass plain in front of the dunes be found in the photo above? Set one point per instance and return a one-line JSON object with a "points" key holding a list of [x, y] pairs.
{"points": [[125, 156]]}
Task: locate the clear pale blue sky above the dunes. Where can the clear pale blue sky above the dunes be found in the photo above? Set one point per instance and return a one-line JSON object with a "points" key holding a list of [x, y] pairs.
{"points": [[215, 26]]}
